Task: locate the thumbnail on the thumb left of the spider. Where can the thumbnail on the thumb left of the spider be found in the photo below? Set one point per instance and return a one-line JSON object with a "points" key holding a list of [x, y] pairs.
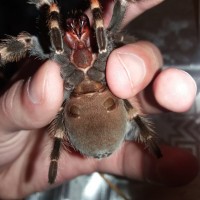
{"points": [[35, 90]]}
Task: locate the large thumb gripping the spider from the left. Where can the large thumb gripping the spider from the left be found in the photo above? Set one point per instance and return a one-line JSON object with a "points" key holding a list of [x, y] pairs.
{"points": [[32, 103]]}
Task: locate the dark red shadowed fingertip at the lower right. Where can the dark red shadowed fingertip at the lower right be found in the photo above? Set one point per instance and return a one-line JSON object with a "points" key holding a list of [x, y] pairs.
{"points": [[171, 170]]}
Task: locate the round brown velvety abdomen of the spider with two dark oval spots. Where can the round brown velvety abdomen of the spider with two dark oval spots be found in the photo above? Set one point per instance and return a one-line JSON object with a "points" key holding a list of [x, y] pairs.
{"points": [[96, 123]]}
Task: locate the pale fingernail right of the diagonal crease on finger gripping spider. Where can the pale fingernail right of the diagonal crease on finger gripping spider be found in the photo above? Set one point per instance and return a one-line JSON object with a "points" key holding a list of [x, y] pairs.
{"points": [[134, 68]]}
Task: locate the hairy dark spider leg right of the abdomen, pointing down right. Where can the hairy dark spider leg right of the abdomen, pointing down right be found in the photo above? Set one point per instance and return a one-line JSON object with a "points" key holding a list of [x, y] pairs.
{"points": [[147, 134]]}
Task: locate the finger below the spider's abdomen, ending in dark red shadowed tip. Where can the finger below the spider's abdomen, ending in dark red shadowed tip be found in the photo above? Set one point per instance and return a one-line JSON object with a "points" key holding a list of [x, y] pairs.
{"points": [[136, 163]]}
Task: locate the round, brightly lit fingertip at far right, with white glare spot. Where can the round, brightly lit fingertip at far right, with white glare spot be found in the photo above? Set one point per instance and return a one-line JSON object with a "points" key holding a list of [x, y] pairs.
{"points": [[175, 90]]}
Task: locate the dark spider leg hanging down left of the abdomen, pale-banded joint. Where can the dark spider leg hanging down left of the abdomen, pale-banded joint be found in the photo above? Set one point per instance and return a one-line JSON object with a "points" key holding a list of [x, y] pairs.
{"points": [[57, 130]]}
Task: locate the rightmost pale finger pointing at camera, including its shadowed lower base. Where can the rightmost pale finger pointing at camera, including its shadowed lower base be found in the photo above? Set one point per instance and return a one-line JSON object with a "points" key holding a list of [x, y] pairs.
{"points": [[173, 89]]}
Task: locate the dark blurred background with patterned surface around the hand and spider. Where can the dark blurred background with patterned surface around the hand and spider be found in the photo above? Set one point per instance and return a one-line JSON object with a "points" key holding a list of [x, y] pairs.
{"points": [[174, 26]]}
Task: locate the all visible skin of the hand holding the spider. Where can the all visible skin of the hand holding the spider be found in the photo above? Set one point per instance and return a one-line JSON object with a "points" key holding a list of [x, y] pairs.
{"points": [[30, 104]]}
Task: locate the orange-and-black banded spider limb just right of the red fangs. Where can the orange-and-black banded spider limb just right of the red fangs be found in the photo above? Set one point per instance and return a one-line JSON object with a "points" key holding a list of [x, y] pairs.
{"points": [[99, 26]]}
